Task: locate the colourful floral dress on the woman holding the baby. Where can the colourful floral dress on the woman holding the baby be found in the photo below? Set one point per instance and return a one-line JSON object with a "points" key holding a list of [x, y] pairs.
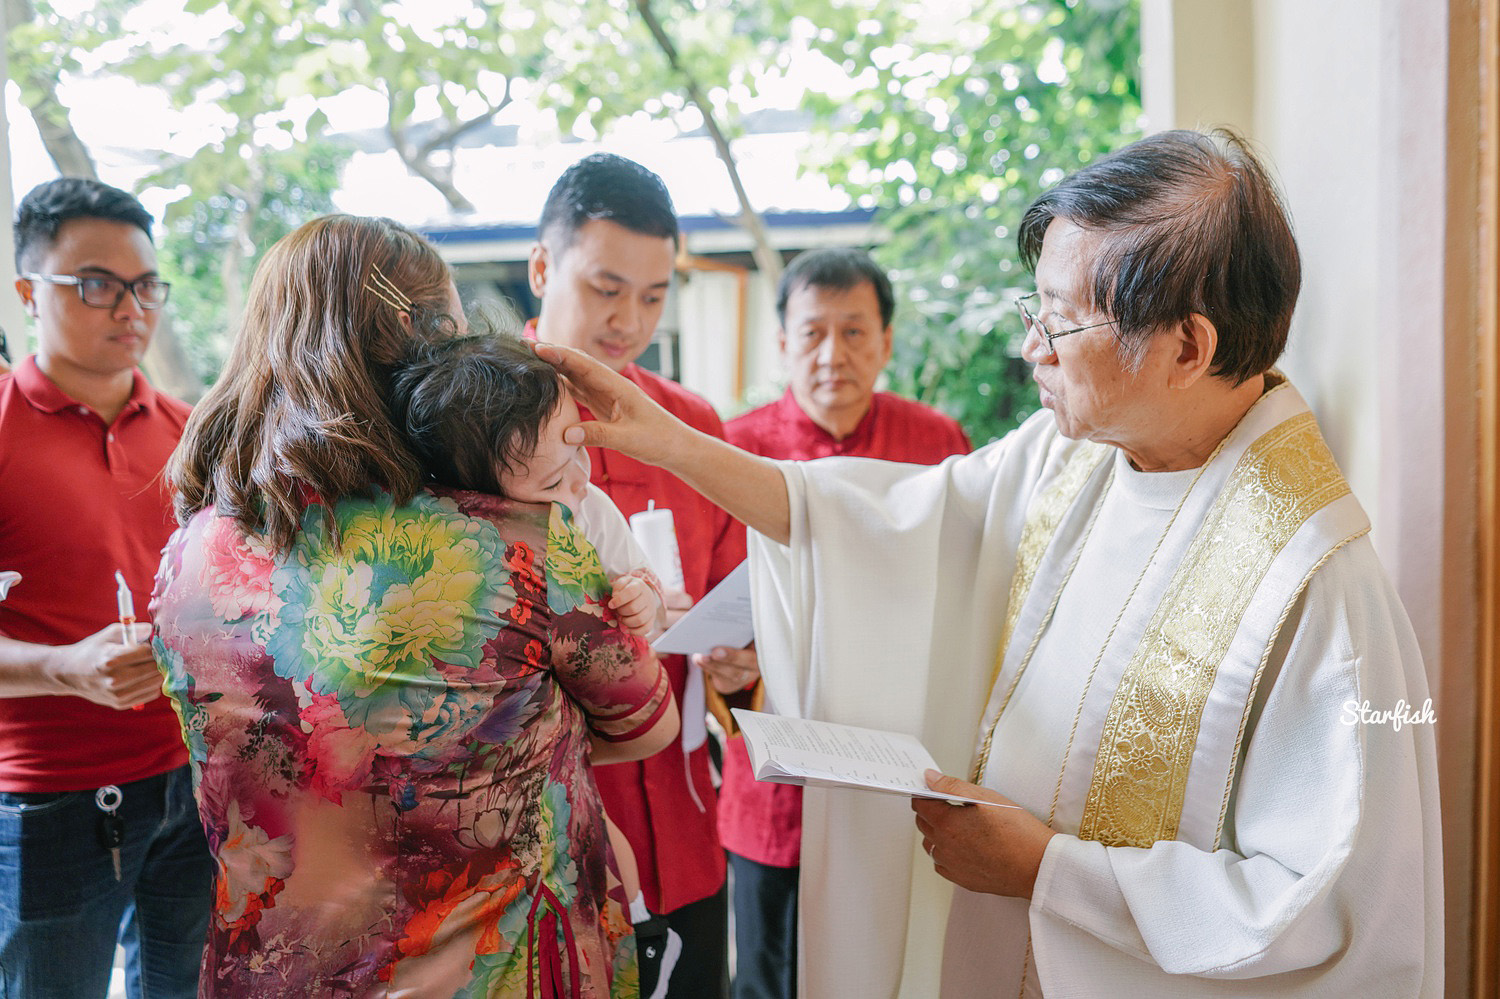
{"points": [[391, 749]]}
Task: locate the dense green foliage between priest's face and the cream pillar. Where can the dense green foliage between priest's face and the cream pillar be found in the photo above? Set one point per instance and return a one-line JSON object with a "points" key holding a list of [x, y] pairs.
{"points": [[956, 125]]}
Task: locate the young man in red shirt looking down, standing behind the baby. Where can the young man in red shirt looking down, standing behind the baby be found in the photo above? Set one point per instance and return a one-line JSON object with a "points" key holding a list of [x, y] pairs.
{"points": [[601, 268]]}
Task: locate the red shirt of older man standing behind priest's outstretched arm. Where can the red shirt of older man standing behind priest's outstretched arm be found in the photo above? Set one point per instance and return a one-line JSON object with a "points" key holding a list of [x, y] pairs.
{"points": [[763, 821]]}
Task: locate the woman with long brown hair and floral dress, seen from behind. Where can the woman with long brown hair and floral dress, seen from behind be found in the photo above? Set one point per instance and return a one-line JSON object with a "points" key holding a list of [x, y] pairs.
{"points": [[391, 691]]}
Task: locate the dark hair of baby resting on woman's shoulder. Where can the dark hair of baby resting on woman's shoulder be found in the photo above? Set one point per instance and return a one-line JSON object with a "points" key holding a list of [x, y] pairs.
{"points": [[473, 406]]}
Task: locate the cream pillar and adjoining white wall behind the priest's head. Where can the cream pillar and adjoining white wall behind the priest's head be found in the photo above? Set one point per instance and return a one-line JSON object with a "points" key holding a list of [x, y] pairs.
{"points": [[1310, 109]]}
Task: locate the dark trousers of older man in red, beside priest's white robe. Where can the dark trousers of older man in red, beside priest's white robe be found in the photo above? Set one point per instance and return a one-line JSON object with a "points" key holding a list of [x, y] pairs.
{"points": [[766, 931]]}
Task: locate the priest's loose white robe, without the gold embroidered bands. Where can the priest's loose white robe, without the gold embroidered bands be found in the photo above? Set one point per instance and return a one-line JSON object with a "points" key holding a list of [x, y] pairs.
{"points": [[887, 611]]}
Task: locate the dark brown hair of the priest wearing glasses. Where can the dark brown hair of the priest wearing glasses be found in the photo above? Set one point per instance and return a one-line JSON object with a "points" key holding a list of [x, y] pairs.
{"points": [[1190, 224]]}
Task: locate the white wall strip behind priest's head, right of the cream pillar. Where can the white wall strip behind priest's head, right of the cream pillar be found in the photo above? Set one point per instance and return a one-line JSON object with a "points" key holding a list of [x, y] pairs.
{"points": [[1316, 118]]}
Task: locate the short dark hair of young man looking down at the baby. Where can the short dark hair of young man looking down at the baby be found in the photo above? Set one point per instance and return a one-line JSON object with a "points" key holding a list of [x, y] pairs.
{"points": [[607, 187]]}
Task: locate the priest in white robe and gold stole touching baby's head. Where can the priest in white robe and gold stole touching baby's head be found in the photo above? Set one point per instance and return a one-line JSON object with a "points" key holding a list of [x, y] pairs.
{"points": [[1141, 617]]}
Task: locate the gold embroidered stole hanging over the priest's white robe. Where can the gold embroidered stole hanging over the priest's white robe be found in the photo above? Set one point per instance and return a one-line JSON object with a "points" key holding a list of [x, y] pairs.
{"points": [[1151, 731]]}
